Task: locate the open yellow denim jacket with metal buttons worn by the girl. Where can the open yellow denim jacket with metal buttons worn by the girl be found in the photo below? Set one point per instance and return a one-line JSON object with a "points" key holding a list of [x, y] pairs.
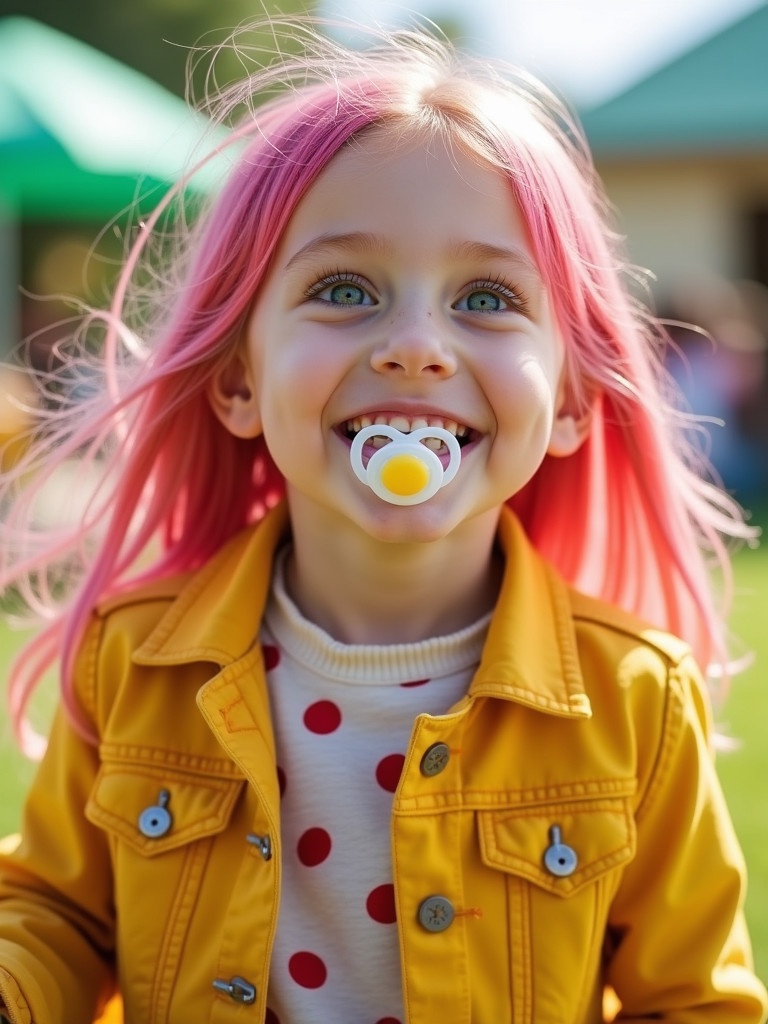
{"points": [[566, 810]]}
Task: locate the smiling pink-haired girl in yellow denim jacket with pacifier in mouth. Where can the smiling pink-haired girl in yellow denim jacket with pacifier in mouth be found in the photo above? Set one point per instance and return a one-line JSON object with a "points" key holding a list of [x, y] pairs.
{"points": [[392, 726]]}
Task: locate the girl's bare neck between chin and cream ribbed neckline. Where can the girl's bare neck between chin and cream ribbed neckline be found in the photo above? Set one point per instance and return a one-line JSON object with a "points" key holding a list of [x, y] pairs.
{"points": [[364, 591]]}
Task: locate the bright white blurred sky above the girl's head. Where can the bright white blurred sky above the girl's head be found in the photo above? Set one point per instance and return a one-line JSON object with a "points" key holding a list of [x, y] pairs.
{"points": [[587, 49]]}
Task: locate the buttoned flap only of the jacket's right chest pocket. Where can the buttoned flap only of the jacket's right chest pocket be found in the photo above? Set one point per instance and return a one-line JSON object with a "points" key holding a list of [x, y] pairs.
{"points": [[600, 833]]}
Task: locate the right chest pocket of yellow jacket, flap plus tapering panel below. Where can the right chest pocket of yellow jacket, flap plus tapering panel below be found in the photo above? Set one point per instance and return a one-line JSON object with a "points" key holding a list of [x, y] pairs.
{"points": [[563, 863]]}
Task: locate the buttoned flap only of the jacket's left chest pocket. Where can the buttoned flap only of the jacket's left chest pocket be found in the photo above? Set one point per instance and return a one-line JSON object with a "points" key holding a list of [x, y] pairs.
{"points": [[196, 805]]}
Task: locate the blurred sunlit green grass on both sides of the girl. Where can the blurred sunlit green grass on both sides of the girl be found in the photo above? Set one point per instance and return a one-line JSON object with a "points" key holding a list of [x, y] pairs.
{"points": [[744, 772]]}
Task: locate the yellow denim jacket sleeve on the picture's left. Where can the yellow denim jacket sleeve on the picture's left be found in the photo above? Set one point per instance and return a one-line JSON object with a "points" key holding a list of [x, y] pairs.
{"points": [[57, 918]]}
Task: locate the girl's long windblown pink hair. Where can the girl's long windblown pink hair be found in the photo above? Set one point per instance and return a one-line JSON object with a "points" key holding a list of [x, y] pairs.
{"points": [[632, 518]]}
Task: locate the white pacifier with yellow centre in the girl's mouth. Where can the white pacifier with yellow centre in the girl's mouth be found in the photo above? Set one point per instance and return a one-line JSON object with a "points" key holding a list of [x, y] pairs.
{"points": [[405, 472]]}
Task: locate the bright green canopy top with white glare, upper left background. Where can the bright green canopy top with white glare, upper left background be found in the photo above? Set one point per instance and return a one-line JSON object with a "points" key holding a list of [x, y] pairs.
{"points": [[82, 136]]}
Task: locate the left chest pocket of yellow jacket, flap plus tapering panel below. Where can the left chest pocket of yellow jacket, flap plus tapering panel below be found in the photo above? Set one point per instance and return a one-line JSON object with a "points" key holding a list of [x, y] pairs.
{"points": [[161, 824]]}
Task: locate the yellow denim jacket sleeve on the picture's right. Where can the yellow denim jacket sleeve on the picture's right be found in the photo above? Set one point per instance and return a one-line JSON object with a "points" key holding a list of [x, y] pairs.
{"points": [[680, 951]]}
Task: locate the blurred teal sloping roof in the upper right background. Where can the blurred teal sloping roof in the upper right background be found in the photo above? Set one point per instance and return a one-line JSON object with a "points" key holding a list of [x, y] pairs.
{"points": [[713, 99]]}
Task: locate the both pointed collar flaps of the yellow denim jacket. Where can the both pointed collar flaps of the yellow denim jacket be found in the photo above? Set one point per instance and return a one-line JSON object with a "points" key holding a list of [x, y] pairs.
{"points": [[530, 656]]}
